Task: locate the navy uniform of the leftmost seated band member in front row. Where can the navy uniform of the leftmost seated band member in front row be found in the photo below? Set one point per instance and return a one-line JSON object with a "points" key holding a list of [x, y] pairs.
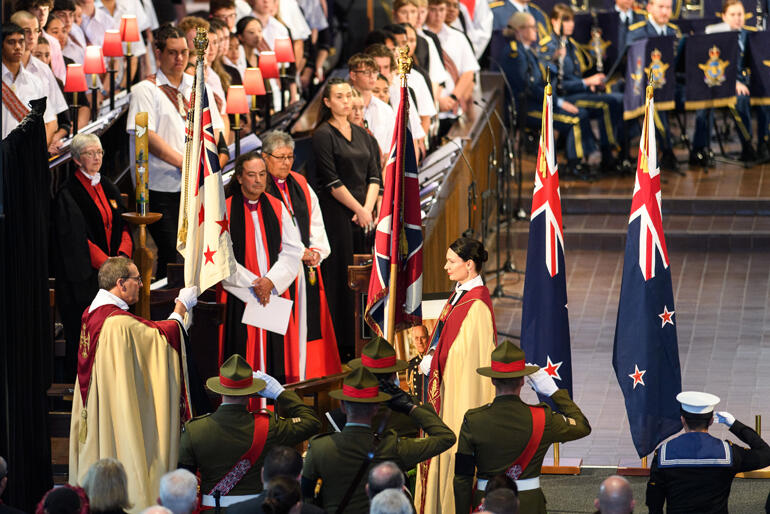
{"points": [[526, 73]]}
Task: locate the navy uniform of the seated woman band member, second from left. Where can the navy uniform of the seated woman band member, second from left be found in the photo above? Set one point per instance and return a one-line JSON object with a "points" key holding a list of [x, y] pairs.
{"points": [[607, 108]]}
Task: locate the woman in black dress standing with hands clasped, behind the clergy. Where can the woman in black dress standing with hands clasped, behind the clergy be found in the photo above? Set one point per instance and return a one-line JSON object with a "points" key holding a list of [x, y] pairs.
{"points": [[349, 182]]}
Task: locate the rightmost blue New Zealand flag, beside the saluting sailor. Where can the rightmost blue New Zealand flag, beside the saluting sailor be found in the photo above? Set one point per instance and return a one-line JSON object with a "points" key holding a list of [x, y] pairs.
{"points": [[645, 353]]}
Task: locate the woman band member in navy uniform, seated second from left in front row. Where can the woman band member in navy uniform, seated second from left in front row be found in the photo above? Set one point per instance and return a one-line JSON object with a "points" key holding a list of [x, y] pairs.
{"points": [[572, 61]]}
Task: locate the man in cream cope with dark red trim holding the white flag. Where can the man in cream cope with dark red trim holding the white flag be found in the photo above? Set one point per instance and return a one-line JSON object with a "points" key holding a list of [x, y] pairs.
{"points": [[132, 381]]}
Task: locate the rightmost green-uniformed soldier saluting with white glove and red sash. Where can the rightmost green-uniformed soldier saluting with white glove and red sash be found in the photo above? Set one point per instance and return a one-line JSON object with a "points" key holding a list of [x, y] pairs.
{"points": [[511, 437]]}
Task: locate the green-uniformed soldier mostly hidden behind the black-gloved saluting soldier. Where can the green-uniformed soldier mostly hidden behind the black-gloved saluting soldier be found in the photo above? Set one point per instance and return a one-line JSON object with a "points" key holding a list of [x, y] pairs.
{"points": [[379, 357]]}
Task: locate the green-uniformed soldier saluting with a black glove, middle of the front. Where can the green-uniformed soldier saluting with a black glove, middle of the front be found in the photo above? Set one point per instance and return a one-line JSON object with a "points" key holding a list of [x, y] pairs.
{"points": [[336, 463]]}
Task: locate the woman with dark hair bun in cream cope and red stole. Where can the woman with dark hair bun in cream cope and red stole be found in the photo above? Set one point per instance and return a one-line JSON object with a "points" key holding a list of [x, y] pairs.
{"points": [[462, 341]]}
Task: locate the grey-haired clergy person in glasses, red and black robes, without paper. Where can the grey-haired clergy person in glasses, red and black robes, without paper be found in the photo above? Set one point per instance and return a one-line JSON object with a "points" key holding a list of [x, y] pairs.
{"points": [[315, 341]]}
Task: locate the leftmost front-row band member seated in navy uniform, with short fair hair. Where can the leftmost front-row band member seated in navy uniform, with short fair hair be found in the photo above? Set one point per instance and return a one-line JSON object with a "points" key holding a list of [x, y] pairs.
{"points": [[527, 75]]}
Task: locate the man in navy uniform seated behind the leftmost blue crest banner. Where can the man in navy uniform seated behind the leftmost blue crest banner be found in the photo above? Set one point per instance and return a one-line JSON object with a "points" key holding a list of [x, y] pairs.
{"points": [[658, 24]]}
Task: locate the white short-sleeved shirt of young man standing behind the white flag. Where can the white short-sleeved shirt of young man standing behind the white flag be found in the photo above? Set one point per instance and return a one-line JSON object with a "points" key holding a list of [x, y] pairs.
{"points": [[165, 120]]}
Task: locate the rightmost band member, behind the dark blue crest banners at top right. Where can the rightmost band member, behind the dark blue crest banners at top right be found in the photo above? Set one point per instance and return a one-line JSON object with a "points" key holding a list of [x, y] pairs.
{"points": [[733, 17]]}
